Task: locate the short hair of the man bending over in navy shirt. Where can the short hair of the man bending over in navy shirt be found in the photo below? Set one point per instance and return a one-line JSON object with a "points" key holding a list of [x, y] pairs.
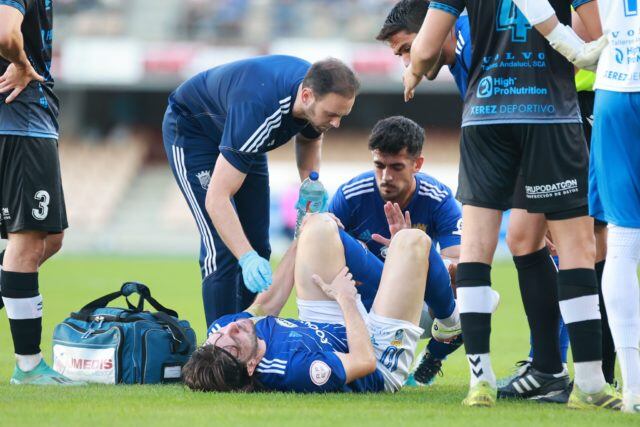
{"points": [[331, 76]]}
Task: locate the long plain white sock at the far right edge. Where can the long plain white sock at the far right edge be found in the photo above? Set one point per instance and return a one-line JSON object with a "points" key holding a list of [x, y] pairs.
{"points": [[622, 297]]}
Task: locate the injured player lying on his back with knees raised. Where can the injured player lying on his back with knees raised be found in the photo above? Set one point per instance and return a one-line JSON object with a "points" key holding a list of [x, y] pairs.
{"points": [[336, 345]]}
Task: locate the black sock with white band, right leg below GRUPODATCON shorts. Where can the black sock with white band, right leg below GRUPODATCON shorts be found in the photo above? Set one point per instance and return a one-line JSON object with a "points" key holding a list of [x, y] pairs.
{"points": [[578, 295]]}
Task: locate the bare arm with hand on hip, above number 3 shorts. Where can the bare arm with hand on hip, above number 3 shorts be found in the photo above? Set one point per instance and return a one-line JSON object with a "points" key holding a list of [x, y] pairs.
{"points": [[20, 72]]}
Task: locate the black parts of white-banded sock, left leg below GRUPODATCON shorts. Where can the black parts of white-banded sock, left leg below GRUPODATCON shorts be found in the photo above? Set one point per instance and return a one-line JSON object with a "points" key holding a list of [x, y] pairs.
{"points": [[476, 326]]}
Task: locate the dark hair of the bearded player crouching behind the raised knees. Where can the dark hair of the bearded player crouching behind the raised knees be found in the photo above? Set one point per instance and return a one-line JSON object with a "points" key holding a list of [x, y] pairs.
{"points": [[395, 133]]}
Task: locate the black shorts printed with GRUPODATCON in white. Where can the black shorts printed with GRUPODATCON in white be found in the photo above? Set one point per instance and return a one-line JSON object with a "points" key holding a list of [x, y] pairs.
{"points": [[552, 159]]}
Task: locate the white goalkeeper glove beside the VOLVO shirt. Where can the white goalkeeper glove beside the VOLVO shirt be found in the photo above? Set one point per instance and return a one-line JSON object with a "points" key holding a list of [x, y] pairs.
{"points": [[583, 55]]}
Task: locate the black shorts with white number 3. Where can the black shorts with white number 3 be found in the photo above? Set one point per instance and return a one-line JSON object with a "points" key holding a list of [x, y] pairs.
{"points": [[31, 196]]}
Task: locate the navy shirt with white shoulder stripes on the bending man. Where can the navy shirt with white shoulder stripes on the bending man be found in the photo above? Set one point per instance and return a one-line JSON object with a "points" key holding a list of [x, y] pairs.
{"points": [[244, 108]]}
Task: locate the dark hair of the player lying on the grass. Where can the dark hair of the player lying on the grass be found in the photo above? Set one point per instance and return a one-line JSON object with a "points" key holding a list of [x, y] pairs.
{"points": [[212, 368]]}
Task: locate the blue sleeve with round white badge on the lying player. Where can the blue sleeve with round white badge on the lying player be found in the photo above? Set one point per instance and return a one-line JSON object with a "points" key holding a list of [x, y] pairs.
{"points": [[309, 372]]}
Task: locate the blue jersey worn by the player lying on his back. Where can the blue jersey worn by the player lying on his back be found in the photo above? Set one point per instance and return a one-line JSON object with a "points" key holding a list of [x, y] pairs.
{"points": [[301, 356]]}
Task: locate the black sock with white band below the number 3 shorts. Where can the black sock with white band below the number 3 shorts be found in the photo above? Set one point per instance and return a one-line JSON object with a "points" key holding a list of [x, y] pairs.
{"points": [[24, 309]]}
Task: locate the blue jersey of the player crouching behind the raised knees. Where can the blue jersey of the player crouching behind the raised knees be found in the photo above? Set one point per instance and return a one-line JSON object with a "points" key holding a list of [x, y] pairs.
{"points": [[433, 209]]}
